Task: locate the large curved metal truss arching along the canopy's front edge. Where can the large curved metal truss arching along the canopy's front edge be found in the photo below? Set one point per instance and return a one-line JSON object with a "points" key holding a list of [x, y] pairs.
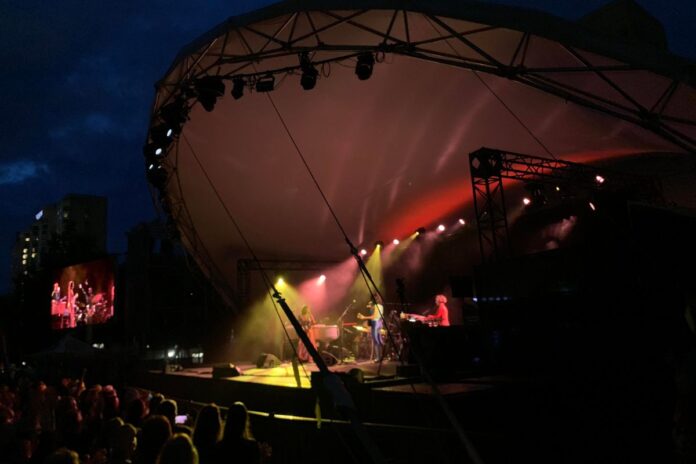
{"points": [[254, 50]]}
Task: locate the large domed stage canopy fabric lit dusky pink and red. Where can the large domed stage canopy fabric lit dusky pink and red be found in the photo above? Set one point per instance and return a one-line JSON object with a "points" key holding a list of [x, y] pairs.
{"points": [[390, 152]]}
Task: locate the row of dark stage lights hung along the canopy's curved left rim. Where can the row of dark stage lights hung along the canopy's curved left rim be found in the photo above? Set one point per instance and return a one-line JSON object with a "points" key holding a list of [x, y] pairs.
{"points": [[207, 90]]}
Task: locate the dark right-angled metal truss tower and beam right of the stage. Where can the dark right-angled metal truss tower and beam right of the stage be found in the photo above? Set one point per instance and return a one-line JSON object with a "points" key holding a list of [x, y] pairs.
{"points": [[489, 167]]}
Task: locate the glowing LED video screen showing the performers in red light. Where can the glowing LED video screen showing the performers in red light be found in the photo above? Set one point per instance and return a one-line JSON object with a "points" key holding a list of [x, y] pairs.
{"points": [[83, 294]]}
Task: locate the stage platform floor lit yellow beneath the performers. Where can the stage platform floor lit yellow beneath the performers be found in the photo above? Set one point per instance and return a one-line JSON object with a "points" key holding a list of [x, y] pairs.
{"points": [[382, 395]]}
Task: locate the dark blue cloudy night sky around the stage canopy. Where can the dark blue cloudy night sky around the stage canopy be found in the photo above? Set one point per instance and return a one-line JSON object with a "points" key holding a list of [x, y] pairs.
{"points": [[77, 82]]}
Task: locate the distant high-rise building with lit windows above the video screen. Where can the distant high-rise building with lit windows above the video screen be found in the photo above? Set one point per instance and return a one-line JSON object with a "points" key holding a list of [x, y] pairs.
{"points": [[69, 230]]}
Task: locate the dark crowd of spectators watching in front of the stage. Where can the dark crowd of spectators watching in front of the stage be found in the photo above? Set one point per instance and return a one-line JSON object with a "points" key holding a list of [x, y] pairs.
{"points": [[74, 424]]}
